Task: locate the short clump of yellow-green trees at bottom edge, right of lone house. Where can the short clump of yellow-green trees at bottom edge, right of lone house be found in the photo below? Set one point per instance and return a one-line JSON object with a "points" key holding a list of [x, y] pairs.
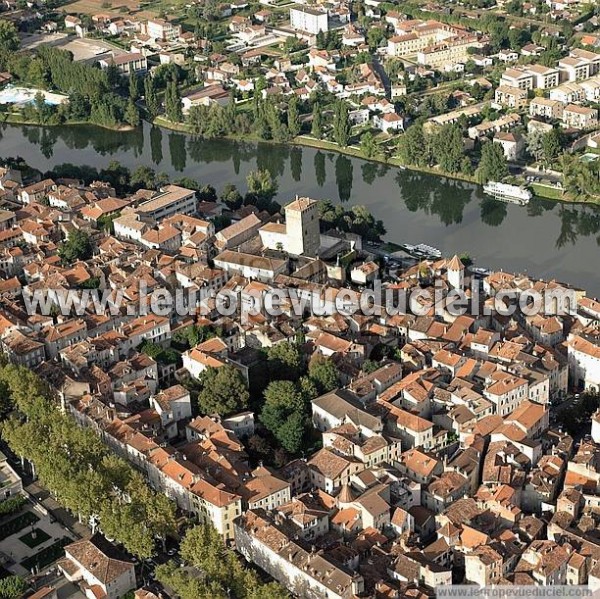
{"points": [[220, 573]]}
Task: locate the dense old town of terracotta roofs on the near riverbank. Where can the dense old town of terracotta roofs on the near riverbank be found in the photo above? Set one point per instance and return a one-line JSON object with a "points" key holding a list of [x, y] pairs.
{"points": [[345, 455]]}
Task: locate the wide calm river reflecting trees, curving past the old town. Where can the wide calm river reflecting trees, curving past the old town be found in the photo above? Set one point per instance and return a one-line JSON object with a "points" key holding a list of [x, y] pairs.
{"points": [[545, 239]]}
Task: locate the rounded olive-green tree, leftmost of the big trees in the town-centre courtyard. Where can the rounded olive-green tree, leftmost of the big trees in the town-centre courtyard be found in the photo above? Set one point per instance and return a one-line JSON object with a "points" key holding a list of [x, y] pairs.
{"points": [[223, 391]]}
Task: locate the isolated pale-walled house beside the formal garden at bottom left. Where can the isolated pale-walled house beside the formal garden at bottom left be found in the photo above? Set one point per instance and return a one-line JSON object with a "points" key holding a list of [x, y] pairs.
{"points": [[100, 570]]}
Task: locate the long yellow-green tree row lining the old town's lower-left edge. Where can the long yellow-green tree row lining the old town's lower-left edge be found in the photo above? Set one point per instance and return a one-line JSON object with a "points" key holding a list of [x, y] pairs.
{"points": [[79, 470]]}
